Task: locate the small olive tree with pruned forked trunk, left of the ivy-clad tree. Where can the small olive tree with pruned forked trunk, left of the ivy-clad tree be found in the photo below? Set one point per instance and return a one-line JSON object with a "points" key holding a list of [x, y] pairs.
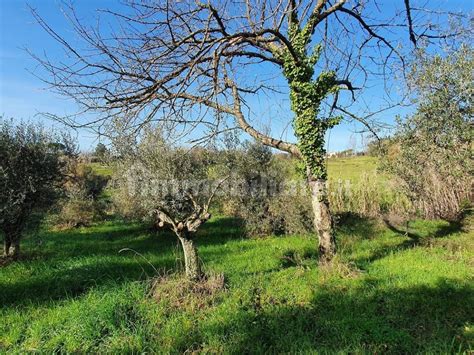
{"points": [[169, 185]]}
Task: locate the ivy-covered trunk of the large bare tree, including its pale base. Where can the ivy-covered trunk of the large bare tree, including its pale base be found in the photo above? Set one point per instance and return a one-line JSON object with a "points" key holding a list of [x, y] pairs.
{"points": [[306, 95]]}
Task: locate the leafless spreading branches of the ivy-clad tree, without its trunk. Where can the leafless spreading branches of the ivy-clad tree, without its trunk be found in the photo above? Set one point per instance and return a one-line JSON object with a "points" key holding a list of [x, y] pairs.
{"points": [[168, 61]]}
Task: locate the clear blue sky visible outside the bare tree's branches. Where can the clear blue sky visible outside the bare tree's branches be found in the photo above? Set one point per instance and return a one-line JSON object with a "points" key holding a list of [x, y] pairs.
{"points": [[22, 95]]}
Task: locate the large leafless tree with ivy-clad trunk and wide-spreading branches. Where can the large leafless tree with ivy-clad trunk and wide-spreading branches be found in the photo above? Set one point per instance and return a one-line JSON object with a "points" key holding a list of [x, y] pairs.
{"points": [[205, 64]]}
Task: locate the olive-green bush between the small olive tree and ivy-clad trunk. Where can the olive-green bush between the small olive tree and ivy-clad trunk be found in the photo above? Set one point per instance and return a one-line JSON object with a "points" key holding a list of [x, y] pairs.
{"points": [[268, 195]]}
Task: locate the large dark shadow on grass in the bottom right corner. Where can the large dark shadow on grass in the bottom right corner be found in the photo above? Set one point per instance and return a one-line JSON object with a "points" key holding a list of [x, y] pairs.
{"points": [[371, 319]]}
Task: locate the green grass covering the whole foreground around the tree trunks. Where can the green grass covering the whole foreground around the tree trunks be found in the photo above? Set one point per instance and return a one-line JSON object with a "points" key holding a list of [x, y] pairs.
{"points": [[75, 292]]}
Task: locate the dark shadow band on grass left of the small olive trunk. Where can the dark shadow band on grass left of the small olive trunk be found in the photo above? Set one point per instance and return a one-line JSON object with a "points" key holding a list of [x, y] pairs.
{"points": [[72, 262]]}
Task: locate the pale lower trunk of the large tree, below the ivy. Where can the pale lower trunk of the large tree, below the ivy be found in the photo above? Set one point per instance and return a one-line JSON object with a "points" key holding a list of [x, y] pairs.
{"points": [[322, 219]]}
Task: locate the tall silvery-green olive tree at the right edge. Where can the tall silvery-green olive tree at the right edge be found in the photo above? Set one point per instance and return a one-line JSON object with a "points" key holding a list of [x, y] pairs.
{"points": [[431, 152]]}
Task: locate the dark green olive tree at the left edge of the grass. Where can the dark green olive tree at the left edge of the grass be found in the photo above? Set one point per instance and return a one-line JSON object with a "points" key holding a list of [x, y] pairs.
{"points": [[31, 174]]}
